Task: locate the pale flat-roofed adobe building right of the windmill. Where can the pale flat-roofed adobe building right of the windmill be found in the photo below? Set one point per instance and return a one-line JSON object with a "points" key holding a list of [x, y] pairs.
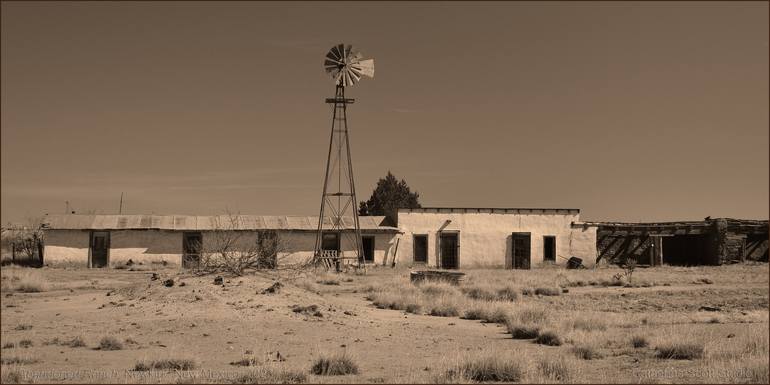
{"points": [[513, 238]]}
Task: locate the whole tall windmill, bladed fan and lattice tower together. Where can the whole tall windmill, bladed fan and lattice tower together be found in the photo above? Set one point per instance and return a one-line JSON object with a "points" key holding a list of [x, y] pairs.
{"points": [[346, 66]]}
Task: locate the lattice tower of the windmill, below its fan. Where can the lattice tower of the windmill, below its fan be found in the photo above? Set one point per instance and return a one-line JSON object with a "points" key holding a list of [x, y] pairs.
{"points": [[339, 196]]}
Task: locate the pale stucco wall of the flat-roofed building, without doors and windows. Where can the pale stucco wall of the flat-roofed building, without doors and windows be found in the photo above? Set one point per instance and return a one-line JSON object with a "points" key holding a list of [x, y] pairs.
{"points": [[485, 238]]}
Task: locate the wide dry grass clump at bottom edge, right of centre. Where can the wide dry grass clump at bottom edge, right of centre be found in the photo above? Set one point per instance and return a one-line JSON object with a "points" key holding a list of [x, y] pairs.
{"points": [[487, 368]]}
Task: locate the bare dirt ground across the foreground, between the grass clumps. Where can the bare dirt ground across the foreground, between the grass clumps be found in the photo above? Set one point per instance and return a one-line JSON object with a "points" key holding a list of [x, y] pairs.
{"points": [[215, 325]]}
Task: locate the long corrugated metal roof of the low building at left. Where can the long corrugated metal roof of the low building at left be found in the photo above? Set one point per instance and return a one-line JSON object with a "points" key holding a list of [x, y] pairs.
{"points": [[200, 223]]}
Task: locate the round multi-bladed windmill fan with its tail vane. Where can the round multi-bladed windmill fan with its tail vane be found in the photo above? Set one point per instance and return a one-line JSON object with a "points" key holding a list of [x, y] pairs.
{"points": [[345, 65]]}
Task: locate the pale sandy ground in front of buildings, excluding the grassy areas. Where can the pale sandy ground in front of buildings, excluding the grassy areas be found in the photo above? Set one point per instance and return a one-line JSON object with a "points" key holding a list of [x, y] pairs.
{"points": [[216, 325]]}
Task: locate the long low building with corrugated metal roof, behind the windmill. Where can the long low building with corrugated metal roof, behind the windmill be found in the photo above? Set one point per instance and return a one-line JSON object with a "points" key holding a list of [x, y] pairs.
{"points": [[104, 240]]}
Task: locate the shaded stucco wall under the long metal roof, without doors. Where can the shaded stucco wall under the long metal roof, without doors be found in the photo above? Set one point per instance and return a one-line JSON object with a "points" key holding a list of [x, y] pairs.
{"points": [[72, 246]]}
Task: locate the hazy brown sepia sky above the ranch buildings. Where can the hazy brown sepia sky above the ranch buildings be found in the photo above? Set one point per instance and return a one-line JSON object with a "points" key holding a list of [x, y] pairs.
{"points": [[628, 111]]}
